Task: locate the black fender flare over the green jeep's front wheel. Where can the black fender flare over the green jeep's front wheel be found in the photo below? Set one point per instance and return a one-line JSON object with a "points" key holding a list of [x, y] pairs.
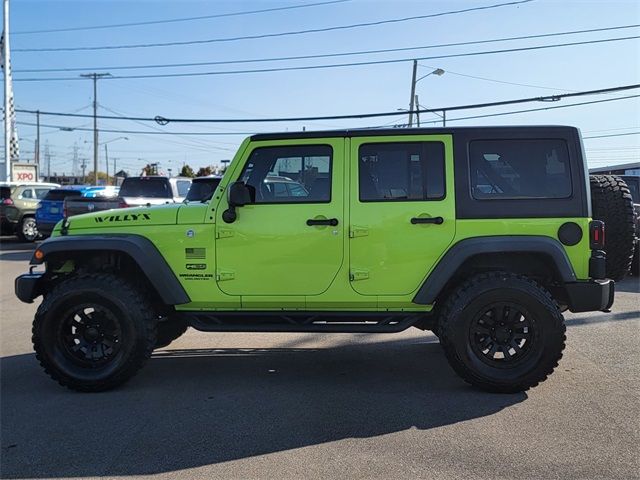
{"points": [[139, 248]]}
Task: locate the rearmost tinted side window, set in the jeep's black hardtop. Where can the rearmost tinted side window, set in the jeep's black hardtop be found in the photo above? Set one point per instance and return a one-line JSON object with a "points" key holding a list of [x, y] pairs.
{"points": [[512, 169]]}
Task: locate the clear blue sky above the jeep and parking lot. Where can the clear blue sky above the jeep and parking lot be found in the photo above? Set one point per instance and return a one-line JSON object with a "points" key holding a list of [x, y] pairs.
{"points": [[317, 92]]}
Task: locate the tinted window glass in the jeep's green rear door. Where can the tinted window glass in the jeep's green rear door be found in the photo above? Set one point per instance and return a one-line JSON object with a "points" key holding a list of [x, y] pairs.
{"points": [[401, 171]]}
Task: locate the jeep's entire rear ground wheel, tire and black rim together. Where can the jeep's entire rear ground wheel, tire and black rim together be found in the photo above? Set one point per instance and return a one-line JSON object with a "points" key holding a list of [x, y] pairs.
{"points": [[502, 332]]}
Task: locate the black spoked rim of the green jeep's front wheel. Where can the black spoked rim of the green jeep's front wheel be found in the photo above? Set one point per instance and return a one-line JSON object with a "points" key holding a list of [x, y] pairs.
{"points": [[90, 335]]}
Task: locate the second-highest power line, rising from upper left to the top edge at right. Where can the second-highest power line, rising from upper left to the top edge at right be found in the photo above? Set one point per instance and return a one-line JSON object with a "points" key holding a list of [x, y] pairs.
{"points": [[272, 35]]}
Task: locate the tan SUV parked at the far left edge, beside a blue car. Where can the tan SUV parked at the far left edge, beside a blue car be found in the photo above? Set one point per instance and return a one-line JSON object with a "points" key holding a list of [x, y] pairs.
{"points": [[18, 208]]}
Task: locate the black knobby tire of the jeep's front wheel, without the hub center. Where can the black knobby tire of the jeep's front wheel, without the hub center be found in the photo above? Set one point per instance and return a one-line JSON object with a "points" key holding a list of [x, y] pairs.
{"points": [[136, 319]]}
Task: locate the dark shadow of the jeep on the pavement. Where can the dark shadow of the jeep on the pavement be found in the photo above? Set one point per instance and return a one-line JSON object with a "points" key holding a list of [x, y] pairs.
{"points": [[190, 408]]}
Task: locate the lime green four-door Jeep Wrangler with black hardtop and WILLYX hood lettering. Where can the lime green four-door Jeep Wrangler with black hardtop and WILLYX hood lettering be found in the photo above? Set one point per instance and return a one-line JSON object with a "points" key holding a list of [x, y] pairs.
{"points": [[482, 235]]}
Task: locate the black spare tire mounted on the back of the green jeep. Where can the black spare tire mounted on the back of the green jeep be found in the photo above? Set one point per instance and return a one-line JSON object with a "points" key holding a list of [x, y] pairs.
{"points": [[611, 202]]}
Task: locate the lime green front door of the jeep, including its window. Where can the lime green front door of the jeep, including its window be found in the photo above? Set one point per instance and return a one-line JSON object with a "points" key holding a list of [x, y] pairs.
{"points": [[289, 242]]}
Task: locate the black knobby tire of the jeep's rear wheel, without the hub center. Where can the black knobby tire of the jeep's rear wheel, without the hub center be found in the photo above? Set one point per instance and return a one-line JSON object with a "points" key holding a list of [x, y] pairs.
{"points": [[466, 303]]}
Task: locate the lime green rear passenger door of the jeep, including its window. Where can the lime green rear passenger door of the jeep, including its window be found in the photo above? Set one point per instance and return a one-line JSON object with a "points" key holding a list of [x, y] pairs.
{"points": [[402, 210]]}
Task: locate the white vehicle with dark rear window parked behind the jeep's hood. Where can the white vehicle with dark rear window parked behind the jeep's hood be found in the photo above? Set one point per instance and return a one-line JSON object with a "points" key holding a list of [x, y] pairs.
{"points": [[153, 190]]}
